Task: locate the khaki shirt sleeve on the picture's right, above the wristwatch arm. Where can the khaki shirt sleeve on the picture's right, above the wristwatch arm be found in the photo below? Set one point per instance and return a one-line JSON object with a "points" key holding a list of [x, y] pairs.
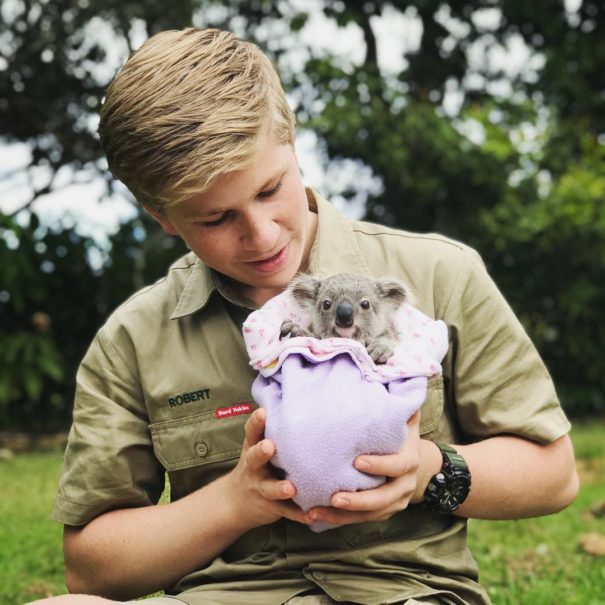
{"points": [[498, 380]]}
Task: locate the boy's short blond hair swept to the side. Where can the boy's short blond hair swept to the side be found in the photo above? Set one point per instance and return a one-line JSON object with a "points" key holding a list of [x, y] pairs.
{"points": [[187, 107]]}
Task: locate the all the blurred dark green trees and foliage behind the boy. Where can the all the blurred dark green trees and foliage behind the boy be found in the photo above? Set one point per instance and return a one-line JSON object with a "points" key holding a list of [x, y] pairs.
{"points": [[509, 158]]}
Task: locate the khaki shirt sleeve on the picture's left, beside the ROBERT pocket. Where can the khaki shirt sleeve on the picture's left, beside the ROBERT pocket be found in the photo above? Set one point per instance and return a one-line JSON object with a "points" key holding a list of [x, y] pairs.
{"points": [[109, 462]]}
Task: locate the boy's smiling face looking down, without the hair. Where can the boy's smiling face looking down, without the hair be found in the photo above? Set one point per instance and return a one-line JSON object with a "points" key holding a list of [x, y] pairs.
{"points": [[253, 225]]}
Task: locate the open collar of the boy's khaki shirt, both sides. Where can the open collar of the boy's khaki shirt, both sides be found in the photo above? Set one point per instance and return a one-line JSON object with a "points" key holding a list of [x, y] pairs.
{"points": [[334, 251]]}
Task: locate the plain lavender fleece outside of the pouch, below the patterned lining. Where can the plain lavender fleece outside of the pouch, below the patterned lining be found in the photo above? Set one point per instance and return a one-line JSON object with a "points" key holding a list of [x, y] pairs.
{"points": [[323, 415]]}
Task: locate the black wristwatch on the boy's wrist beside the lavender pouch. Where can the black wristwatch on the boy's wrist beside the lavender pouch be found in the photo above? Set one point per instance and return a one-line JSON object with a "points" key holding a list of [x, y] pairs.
{"points": [[448, 489]]}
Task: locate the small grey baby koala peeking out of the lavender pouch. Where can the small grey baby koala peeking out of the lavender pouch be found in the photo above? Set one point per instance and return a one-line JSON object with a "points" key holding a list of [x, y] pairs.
{"points": [[349, 306]]}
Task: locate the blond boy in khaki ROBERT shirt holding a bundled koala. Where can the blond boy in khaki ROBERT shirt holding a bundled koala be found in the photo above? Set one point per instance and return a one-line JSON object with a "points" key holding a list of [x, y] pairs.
{"points": [[197, 126]]}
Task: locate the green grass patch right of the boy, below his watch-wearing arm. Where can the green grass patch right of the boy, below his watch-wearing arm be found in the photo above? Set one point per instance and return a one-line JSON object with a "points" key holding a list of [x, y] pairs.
{"points": [[540, 561]]}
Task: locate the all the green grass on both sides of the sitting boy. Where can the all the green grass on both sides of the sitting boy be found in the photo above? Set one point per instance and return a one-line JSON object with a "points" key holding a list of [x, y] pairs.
{"points": [[530, 562]]}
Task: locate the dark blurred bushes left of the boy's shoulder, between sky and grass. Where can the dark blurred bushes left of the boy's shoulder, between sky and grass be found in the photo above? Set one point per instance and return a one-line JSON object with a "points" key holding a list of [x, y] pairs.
{"points": [[52, 301]]}
